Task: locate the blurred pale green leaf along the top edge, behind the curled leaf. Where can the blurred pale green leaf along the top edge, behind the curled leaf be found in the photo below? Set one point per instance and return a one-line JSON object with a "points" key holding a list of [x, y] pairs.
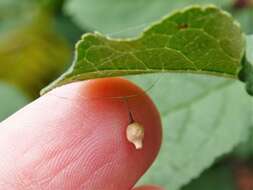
{"points": [[123, 17]]}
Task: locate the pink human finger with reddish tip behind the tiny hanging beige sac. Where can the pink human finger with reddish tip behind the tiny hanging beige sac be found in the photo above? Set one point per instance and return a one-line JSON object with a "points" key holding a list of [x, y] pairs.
{"points": [[73, 138]]}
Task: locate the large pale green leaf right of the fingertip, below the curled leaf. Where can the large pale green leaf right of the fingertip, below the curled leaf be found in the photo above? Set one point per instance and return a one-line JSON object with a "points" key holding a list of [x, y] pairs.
{"points": [[203, 118]]}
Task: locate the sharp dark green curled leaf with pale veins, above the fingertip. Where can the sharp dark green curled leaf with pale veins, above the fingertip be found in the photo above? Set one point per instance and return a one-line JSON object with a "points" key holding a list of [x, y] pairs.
{"points": [[204, 40]]}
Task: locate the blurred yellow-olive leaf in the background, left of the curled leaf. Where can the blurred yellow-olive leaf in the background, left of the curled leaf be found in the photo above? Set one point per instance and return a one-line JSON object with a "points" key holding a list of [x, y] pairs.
{"points": [[35, 49]]}
